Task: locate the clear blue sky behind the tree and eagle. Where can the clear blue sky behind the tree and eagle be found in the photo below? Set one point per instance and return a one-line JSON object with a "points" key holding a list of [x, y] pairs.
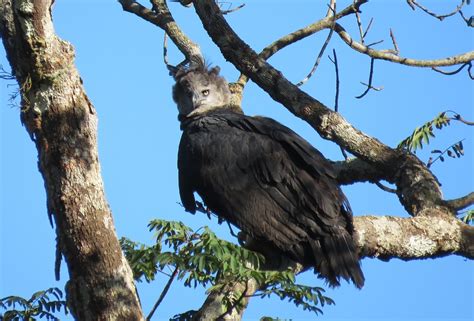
{"points": [[119, 57]]}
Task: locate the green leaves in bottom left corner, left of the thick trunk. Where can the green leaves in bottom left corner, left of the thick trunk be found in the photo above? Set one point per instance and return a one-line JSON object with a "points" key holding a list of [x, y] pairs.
{"points": [[40, 305]]}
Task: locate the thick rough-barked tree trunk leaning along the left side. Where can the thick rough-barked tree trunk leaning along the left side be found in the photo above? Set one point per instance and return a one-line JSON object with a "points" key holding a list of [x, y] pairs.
{"points": [[62, 122]]}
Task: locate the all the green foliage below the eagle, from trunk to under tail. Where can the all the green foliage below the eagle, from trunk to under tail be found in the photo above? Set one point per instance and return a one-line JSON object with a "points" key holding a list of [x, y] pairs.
{"points": [[203, 259]]}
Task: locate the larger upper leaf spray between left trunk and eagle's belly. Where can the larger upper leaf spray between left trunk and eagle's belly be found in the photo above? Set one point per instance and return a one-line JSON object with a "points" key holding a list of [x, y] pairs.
{"points": [[199, 257]]}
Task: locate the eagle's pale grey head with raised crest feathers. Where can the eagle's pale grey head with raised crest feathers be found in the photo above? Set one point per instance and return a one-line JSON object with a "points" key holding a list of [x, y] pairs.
{"points": [[199, 90]]}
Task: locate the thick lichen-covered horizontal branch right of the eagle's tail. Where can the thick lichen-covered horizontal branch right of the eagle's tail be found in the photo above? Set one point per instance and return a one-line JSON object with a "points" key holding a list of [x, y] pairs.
{"points": [[424, 236]]}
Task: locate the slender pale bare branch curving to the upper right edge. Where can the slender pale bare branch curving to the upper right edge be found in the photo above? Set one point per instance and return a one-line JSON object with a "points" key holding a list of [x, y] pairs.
{"points": [[390, 56]]}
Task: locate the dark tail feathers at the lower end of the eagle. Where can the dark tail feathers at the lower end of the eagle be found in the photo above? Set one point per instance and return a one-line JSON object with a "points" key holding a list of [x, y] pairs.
{"points": [[338, 258]]}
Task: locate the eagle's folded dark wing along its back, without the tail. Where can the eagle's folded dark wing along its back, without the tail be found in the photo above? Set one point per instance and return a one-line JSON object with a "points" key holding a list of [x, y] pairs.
{"points": [[297, 171]]}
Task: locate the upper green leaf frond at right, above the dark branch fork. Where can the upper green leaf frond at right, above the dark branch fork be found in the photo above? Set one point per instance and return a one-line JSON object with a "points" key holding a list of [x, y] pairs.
{"points": [[423, 134]]}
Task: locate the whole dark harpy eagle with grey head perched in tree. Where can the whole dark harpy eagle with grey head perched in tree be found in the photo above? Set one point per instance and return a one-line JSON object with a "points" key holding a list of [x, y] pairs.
{"points": [[262, 177]]}
